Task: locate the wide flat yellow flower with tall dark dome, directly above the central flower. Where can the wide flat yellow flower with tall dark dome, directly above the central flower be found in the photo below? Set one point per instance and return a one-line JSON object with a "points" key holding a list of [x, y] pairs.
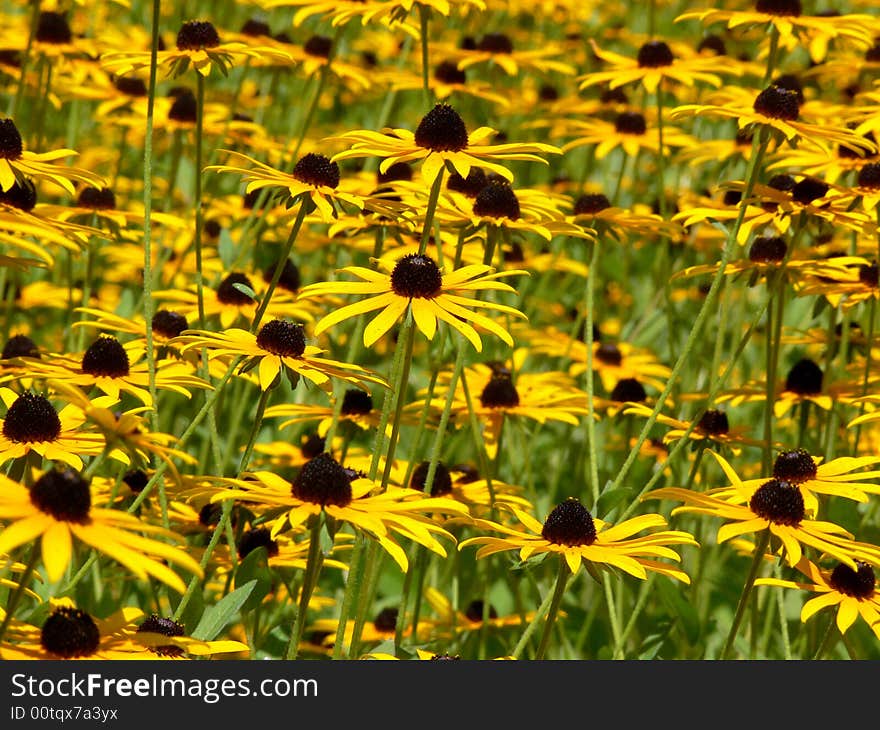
{"points": [[441, 138]]}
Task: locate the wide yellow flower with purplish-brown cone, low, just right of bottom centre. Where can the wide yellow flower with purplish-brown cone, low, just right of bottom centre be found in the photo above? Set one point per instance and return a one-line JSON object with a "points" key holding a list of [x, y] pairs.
{"points": [[575, 535]]}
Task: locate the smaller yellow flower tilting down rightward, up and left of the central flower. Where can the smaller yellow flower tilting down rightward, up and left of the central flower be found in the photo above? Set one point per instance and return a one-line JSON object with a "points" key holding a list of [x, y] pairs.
{"points": [[314, 177]]}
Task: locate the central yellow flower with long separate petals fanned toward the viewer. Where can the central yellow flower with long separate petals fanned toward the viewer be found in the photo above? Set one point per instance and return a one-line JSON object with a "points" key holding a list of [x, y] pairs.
{"points": [[414, 282]]}
